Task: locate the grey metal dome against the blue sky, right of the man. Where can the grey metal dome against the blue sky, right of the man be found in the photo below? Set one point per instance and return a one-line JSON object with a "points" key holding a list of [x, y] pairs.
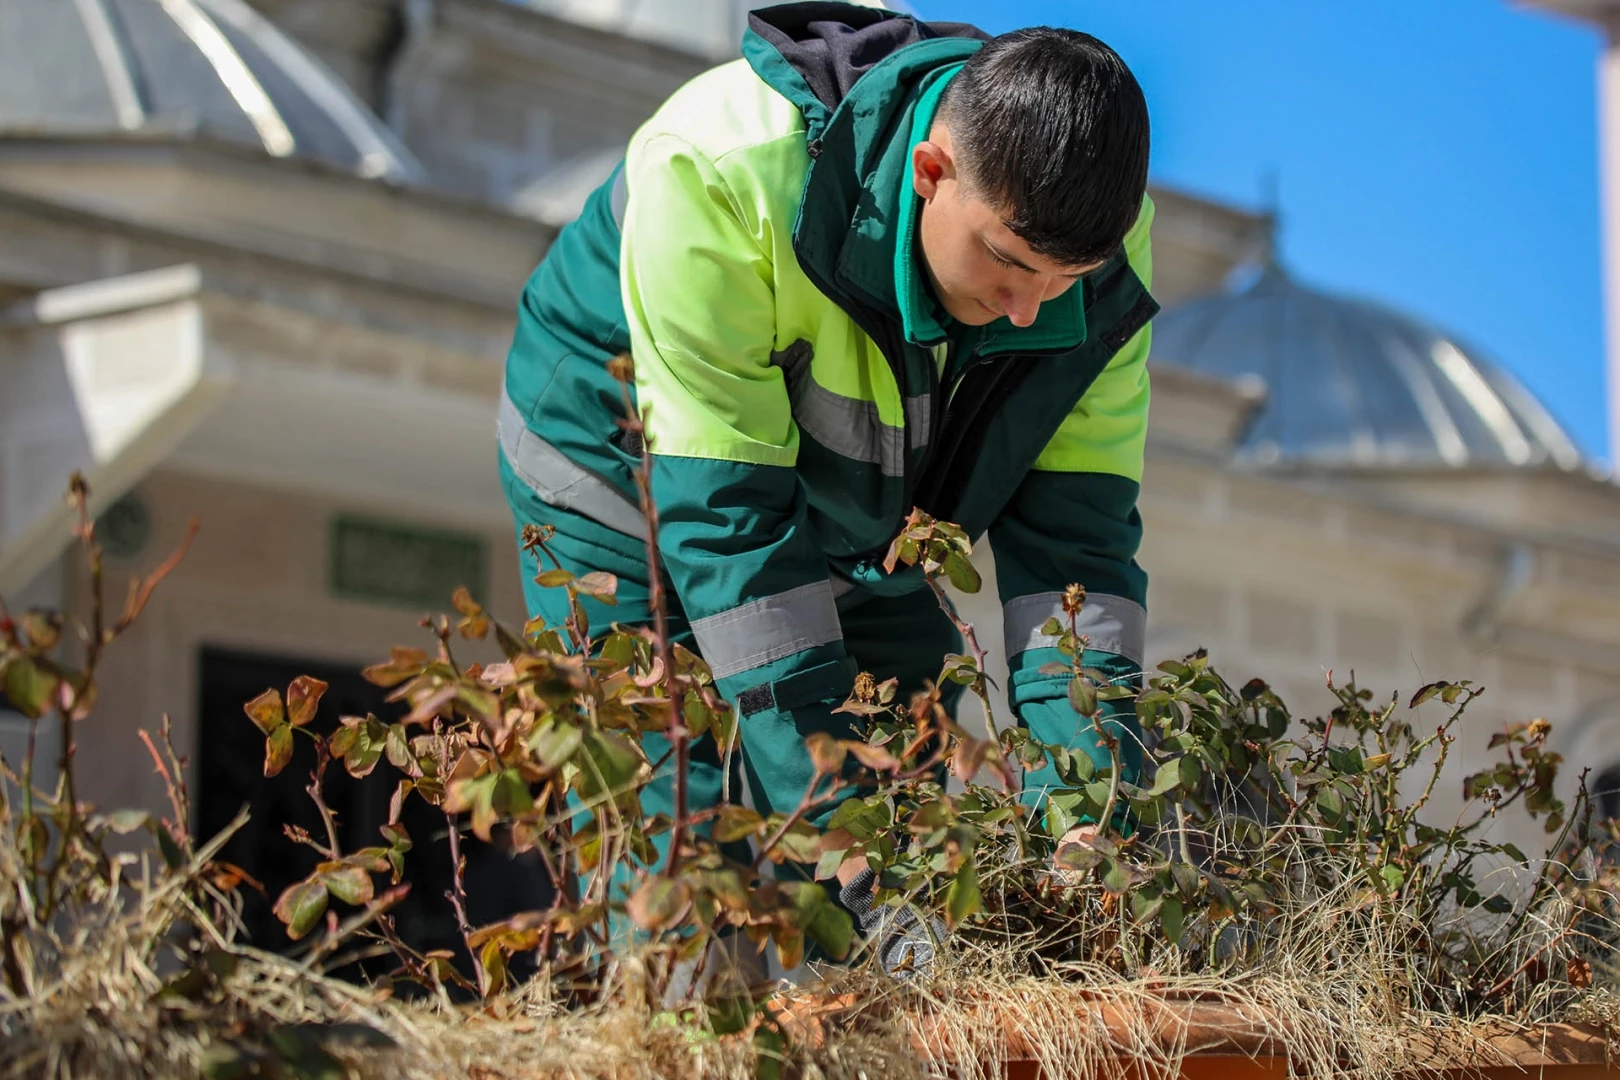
{"points": [[1355, 385]]}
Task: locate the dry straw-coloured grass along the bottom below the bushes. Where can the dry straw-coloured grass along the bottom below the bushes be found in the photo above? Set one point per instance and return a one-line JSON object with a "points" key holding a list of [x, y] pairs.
{"points": [[1332, 993]]}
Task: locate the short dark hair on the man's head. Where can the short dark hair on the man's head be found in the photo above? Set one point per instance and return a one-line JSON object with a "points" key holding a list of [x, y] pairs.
{"points": [[1051, 127]]}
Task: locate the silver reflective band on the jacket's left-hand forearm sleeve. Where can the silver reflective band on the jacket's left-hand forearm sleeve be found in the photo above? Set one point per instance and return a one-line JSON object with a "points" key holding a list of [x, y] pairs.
{"points": [[769, 629]]}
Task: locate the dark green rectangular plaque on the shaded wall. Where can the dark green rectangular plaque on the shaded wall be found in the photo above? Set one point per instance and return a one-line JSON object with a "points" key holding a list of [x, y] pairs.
{"points": [[406, 564]]}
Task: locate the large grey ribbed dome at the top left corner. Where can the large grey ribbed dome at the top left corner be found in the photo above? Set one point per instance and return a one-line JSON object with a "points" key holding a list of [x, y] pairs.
{"points": [[181, 67]]}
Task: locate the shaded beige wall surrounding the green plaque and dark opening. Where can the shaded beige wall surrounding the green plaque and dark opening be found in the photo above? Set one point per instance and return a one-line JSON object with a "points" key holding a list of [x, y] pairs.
{"points": [[257, 580]]}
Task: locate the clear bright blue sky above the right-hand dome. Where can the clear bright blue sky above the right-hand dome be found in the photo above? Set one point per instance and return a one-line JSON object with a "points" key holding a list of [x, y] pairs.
{"points": [[1435, 155]]}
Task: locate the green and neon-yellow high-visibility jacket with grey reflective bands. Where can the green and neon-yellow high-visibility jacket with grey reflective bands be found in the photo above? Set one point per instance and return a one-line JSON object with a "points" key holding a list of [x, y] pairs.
{"points": [[757, 255]]}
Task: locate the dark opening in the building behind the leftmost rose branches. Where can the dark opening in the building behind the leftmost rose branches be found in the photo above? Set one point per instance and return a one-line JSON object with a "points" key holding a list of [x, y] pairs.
{"points": [[231, 775]]}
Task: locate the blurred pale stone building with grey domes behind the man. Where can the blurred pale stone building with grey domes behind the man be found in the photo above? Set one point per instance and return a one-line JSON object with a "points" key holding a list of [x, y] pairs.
{"points": [[258, 265]]}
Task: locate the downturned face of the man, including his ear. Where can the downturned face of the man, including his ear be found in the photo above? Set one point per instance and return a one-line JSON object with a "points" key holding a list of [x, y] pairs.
{"points": [[979, 268]]}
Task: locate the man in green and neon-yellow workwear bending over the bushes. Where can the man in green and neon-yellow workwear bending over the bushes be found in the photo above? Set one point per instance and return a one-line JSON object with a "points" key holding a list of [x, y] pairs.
{"points": [[874, 265]]}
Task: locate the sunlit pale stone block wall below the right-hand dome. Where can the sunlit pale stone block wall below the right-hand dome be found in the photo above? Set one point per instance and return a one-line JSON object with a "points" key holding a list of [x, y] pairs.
{"points": [[1287, 585]]}
